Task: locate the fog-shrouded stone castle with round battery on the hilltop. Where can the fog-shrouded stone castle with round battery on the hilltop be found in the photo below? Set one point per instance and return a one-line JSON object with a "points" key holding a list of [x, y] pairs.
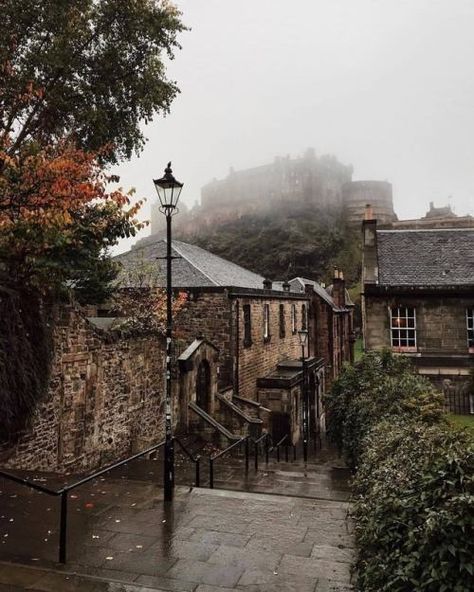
{"points": [[285, 183]]}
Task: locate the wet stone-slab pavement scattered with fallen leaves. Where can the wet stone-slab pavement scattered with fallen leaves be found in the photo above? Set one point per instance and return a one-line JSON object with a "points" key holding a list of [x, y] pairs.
{"points": [[123, 537]]}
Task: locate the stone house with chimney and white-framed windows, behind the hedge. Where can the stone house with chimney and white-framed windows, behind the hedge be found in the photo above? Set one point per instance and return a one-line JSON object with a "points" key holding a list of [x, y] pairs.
{"points": [[418, 300]]}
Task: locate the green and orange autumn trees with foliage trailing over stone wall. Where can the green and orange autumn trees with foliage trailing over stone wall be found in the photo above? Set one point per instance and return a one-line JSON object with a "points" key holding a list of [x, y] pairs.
{"points": [[77, 79]]}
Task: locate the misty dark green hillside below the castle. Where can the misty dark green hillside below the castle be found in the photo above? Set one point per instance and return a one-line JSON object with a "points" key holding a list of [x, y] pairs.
{"points": [[304, 242]]}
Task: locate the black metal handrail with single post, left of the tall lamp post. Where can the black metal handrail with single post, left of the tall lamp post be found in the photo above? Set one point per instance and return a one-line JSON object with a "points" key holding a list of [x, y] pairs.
{"points": [[64, 491]]}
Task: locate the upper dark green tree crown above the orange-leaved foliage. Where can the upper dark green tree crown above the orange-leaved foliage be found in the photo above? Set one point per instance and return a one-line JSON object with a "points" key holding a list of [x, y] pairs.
{"points": [[87, 70]]}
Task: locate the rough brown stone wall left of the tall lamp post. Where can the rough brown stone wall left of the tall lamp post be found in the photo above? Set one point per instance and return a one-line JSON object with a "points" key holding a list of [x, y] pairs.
{"points": [[105, 401]]}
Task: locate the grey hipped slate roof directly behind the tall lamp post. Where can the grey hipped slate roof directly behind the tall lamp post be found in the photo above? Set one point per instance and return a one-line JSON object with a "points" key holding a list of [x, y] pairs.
{"points": [[193, 268]]}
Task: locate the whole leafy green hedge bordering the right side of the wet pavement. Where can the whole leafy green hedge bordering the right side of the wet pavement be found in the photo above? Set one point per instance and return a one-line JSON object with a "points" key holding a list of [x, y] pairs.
{"points": [[413, 485]]}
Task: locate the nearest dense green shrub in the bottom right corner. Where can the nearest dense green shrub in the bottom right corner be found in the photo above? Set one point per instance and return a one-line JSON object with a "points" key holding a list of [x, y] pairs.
{"points": [[414, 510]]}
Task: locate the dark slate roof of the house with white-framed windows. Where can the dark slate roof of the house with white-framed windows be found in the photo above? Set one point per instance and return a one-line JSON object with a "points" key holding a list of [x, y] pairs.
{"points": [[435, 257]]}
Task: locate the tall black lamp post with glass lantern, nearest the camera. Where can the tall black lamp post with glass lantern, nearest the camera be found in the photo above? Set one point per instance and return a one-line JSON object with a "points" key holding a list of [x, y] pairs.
{"points": [[169, 190]]}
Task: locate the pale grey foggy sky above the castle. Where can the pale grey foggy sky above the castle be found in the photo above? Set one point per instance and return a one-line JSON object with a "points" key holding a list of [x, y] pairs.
{"points": [[384, 85]]}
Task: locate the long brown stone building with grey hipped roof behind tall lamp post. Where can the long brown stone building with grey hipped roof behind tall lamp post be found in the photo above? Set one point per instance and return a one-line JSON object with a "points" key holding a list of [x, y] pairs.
{"points": [[253, 324]]}
